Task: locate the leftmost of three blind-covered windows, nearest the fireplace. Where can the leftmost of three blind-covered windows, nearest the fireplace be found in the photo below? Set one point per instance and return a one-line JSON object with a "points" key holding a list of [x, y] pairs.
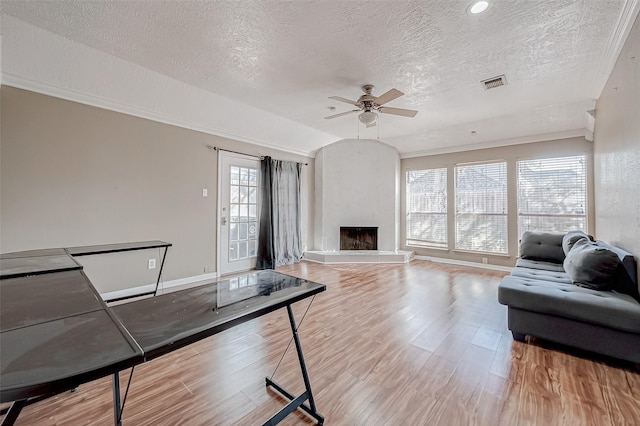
{"points": [[427, 208]]}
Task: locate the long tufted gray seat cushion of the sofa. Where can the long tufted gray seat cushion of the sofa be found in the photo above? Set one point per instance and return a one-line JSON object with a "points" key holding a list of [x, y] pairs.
{"points": [[605, 308]]}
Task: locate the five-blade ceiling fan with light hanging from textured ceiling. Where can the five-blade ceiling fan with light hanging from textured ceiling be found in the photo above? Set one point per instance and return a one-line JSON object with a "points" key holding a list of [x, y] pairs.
{"points": [[370, 104]]}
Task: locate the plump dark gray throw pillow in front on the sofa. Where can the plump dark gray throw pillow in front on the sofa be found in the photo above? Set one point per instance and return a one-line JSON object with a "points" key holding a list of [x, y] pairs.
{"points": [[591, 266]]}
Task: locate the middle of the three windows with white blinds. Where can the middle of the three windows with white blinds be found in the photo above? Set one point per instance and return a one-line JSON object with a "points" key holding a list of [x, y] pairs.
{"points": [[481, 207]]}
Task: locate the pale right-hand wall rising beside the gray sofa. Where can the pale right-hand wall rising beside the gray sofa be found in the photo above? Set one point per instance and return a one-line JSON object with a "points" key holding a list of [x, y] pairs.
{"points": [[617, 150]]}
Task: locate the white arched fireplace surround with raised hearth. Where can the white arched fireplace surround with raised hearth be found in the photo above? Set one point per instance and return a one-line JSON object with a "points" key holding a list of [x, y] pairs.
{"points": [[357, 183]]}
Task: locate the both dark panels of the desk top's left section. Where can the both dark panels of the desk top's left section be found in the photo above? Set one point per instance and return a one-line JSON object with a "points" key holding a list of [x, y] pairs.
{"points": [[57, 333]]}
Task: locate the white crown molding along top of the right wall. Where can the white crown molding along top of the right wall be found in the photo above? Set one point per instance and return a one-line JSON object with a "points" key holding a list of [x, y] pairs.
{"points": [[628, 15]]}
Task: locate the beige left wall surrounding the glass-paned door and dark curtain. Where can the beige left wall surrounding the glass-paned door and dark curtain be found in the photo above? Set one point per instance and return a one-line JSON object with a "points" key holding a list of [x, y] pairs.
{"points": [[73, 174]]}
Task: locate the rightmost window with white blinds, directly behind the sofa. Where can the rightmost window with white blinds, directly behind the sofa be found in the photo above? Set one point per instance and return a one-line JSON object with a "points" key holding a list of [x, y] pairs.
{"points": [[552, 194]]}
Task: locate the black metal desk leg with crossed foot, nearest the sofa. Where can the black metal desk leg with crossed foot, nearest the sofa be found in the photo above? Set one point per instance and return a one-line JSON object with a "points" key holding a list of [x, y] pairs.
{"points": [[299, 401]]}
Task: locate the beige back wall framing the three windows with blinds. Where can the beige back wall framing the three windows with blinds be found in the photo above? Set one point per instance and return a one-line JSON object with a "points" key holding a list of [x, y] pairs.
{"points": [[510, 154]]}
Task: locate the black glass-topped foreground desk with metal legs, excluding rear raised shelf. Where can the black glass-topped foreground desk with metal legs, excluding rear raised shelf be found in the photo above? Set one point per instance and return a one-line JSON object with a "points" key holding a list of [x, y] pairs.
{"points": [[57, 333]]}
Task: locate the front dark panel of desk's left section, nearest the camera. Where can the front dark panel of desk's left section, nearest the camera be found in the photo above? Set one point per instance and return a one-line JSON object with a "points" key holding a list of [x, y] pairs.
{"points": [[58, 355]]}
